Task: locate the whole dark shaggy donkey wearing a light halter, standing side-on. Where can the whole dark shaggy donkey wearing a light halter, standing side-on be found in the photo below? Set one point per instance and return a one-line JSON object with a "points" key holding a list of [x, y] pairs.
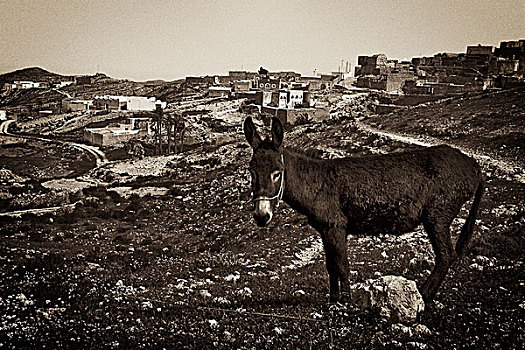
{"points": [[390, 193]]}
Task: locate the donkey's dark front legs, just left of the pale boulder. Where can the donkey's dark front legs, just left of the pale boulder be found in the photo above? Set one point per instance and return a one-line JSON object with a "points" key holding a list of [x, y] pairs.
{"points": [[334, 241]]}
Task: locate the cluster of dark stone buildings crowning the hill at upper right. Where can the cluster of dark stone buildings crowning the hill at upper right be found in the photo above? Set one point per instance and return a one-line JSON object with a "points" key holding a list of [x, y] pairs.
{"points": [[479, 68]]}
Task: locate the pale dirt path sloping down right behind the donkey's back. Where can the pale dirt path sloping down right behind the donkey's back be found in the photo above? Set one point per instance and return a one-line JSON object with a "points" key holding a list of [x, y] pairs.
{"points": [[507, 168]]}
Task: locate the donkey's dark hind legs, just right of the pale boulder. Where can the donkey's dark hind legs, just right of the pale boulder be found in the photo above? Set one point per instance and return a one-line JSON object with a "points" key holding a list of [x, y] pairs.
{"points": [[438, 231]]}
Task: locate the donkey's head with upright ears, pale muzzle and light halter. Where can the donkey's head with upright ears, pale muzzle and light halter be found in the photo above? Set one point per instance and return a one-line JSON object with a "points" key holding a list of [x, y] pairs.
{"points": [[267, 170]]}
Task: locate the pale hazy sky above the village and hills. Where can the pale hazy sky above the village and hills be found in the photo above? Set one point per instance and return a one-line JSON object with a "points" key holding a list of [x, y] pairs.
{"points": [[143, 40]]}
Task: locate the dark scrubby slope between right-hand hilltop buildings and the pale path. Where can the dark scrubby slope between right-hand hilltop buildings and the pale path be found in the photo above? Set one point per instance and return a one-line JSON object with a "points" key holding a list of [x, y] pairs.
{"points": [[490, 123]]}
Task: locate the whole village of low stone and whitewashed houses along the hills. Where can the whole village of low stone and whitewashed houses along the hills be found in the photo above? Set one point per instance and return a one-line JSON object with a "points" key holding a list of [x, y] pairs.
{"points": [[289, 95]]}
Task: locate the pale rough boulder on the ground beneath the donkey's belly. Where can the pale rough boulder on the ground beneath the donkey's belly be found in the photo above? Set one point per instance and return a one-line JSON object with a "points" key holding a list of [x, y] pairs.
{"points": [[397, 298]]}
